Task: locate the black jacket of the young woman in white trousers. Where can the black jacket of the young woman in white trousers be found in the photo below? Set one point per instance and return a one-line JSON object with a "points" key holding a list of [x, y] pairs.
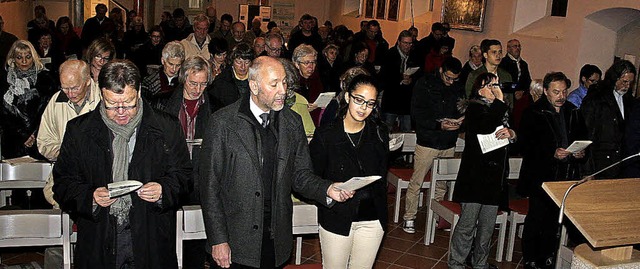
{"points": [[335, 158]]}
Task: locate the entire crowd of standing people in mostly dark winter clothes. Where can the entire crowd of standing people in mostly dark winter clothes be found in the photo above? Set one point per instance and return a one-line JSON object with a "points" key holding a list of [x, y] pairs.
{"points": [[214, 113]]}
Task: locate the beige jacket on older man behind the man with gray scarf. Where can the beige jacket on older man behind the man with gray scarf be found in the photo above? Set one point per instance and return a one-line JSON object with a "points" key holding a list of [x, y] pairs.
{"points": [[53, 124]]}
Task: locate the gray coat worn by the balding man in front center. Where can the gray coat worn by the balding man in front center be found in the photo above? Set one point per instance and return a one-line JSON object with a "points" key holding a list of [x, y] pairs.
{"points": [[231, 186]]}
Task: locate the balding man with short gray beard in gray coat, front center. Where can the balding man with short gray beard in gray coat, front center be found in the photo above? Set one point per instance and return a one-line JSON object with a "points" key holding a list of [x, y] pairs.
{"points": [[254, 155]]}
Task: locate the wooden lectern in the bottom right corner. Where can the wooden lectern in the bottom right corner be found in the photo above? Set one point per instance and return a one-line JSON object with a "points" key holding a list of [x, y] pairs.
{"points": [[607, 213]]}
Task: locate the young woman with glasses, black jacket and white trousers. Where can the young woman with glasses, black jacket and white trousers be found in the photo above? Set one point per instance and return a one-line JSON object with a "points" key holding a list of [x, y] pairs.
{"points": [[354, 145]]}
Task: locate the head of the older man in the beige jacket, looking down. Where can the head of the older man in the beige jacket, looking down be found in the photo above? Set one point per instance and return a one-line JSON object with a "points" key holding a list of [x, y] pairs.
{"points": [[75, 80]]}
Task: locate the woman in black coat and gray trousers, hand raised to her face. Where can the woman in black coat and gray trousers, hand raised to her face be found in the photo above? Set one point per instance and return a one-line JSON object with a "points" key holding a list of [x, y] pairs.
{"points": [[479, 184]]}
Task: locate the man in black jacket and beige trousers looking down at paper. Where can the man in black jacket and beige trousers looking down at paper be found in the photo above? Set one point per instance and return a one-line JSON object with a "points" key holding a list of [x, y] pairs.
{"points": [[437, 120]]}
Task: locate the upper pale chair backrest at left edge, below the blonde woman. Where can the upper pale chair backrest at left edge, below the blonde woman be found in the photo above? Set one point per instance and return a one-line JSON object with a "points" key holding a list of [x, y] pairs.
{"points": [[24, 175]]}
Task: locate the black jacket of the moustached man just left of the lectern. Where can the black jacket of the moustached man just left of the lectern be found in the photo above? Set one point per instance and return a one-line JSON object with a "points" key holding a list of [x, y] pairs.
{"points": [[539, 137]]}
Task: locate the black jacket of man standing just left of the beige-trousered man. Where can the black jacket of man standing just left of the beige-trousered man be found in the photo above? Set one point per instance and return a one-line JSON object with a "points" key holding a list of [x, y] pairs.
{"points": [[397, 98]]}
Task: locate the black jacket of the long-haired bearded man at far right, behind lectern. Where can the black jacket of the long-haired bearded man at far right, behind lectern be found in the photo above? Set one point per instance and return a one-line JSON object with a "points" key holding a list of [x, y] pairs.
{"points": [[606, 128]]}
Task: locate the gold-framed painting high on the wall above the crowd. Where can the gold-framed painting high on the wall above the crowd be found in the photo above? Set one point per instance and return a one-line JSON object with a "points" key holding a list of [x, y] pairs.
{"points": [[464, 14]]}
